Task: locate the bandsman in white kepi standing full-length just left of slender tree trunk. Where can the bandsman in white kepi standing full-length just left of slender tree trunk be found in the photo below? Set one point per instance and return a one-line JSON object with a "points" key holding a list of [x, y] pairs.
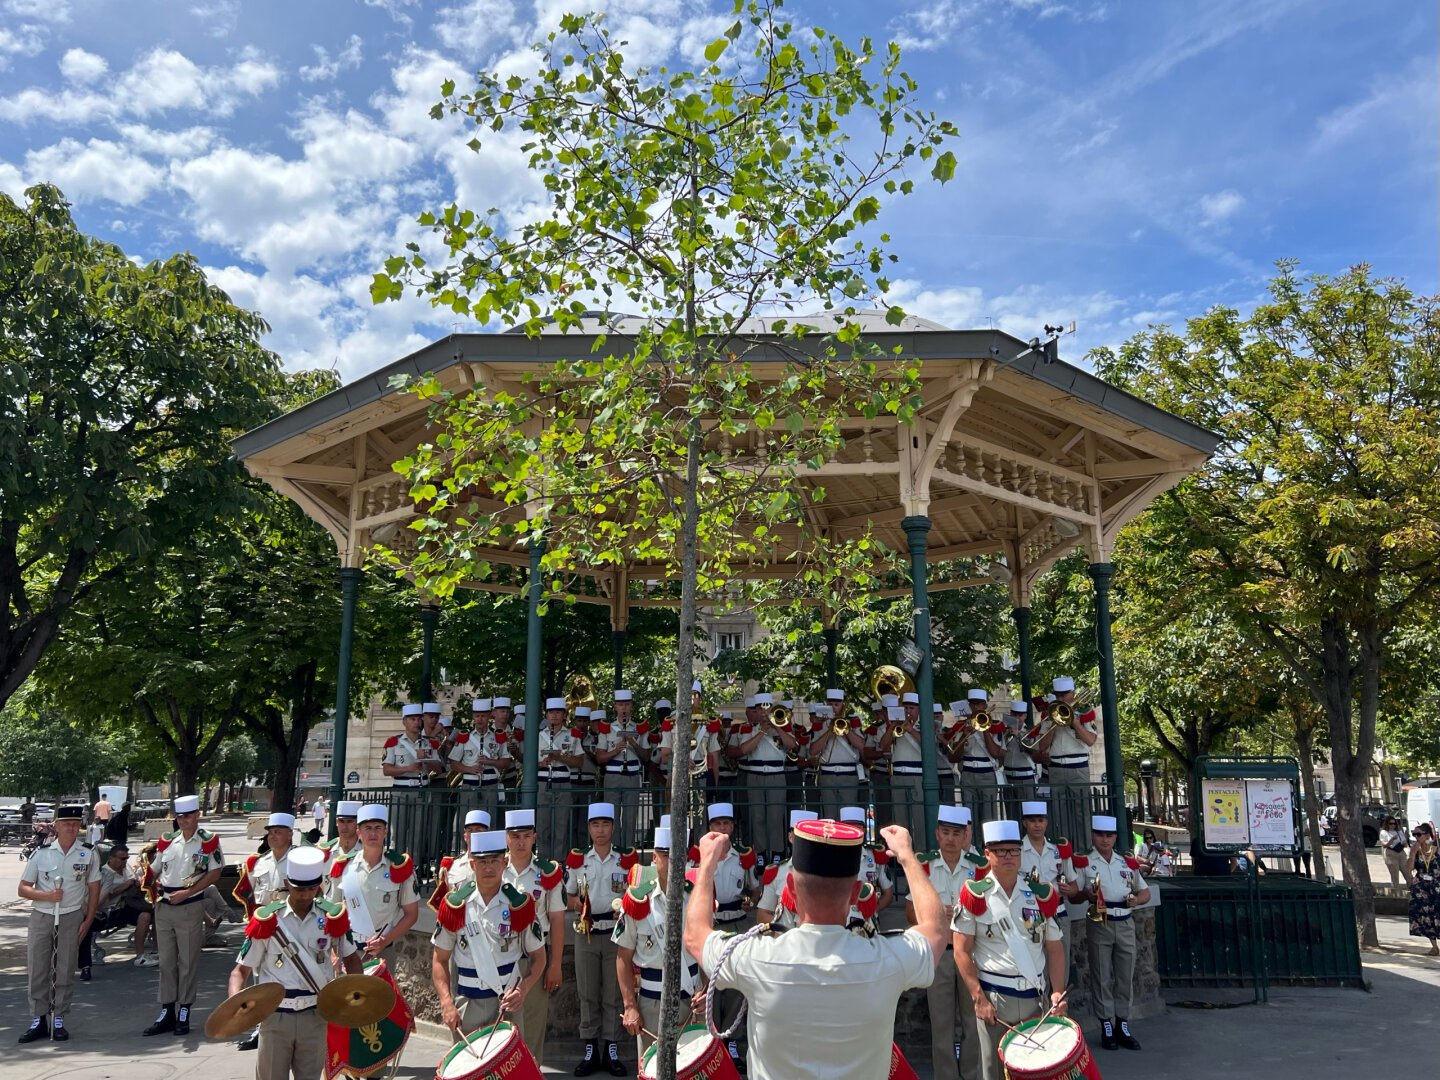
{"points": [[595, 881]]}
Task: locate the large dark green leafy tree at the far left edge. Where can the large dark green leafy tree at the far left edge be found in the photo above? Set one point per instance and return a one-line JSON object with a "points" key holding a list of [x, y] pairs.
{"points": [[120, 387]]}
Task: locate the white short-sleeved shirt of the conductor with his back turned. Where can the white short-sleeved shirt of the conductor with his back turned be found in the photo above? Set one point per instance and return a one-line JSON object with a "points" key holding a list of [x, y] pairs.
{"points": [[823, 1000]]}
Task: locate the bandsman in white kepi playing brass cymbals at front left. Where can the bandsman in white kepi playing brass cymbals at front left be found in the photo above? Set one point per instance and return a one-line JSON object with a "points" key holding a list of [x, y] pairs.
{"points": [[292, 942]]}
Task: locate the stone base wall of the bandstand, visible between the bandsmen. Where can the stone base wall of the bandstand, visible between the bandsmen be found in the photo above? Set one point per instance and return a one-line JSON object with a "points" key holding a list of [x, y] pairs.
{"points": [[411, 966]]}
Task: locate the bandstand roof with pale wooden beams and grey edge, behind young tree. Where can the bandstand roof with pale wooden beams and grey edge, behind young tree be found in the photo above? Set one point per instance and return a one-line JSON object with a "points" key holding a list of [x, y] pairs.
{"points": [[1010, 456]]}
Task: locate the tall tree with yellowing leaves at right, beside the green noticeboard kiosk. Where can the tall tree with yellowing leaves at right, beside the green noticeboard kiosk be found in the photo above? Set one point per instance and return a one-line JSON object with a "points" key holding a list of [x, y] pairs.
{"points": [[1317, 526]]}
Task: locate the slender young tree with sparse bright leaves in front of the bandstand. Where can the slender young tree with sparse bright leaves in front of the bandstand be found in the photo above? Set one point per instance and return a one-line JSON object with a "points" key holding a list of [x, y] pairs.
{"points": [[701, 201]]}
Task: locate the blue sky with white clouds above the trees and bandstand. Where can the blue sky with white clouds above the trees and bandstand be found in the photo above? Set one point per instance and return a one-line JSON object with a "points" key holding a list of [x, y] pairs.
{"points": [[1122, 162]]}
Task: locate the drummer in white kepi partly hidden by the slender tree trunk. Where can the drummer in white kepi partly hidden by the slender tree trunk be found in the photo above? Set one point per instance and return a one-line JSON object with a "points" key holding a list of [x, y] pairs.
{"points": [[640, 942]]}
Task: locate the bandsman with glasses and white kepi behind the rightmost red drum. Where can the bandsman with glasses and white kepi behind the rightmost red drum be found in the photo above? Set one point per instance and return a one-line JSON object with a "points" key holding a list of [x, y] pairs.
{"points": [[1007, 945]]}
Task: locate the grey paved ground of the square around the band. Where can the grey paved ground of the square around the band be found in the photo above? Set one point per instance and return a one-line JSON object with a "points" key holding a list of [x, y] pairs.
{"points": [[1301, 1033]]}
